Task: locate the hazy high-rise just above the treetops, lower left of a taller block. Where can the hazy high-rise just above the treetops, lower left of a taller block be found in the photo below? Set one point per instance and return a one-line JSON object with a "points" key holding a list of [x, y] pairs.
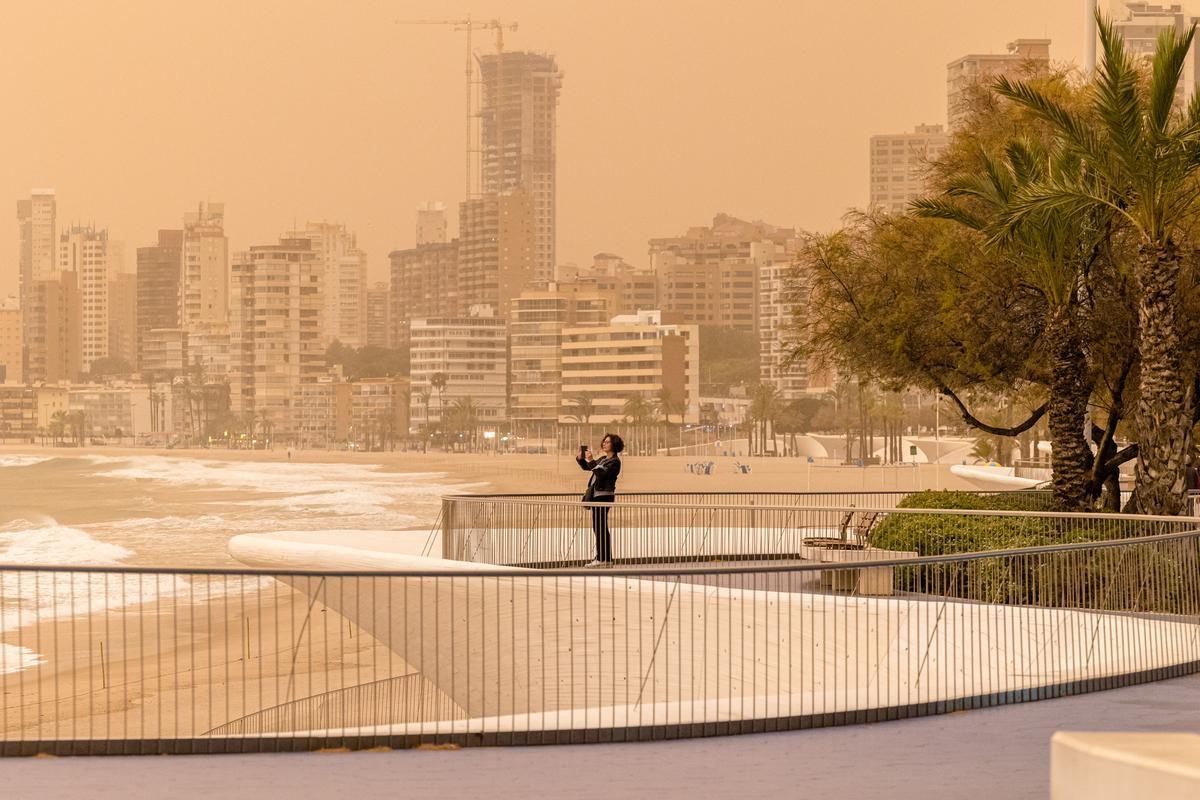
{"points": [[901, 166]]}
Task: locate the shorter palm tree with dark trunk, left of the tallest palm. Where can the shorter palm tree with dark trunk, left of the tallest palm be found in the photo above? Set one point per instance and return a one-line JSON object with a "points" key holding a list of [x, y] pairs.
{"points": [[1055, 250]]}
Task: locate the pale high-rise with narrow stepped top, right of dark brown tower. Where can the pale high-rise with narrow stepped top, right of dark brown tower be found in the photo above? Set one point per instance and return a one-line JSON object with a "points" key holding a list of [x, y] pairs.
{"points": [[205, 299]]}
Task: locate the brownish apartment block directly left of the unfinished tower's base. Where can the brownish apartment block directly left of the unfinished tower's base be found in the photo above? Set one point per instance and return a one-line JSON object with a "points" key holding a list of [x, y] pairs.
{"points": [[424, 284]]}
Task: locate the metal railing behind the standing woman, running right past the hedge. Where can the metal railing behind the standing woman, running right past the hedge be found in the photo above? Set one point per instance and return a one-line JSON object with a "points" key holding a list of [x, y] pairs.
{"points": [[542, 533]]}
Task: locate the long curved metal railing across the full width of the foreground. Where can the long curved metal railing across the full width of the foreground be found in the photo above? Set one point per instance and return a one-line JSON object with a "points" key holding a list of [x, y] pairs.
{"points": [[143, 660]]}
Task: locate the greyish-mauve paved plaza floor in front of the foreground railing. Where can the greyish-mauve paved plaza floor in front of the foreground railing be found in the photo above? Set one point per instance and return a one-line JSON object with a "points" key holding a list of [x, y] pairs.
{"points": [[997, 754]]}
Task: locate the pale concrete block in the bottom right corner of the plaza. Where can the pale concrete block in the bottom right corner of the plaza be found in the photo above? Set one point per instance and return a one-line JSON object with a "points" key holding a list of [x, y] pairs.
{"points": [[1120, 766]]}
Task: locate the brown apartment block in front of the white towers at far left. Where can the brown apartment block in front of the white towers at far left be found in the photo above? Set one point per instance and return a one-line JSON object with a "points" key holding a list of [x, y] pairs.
{"points": [[55, 317]]}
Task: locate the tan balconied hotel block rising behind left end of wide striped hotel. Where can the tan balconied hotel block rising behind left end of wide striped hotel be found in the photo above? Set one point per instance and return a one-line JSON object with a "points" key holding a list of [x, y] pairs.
{"points": [[536, 345]]}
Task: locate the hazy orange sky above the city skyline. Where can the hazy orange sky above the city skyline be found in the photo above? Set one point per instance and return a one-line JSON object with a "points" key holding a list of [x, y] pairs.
{"points": [[311, 110]]}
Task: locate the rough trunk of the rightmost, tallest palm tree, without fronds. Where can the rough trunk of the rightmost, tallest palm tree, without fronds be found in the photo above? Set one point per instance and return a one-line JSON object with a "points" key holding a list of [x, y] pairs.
{"points": [[1165, 398]]}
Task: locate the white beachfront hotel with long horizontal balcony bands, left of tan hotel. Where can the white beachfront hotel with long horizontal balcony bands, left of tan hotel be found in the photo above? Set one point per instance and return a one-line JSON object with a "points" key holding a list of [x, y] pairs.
{"points": [[472, 353]]}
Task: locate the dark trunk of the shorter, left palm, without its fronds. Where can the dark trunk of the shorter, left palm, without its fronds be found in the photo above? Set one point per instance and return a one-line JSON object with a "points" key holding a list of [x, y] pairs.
{"points": [[1070, 393]]}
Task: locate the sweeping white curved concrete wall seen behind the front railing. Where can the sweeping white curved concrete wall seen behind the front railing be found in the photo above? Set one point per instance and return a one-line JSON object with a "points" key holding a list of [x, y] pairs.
{"points": [[531, 652]]}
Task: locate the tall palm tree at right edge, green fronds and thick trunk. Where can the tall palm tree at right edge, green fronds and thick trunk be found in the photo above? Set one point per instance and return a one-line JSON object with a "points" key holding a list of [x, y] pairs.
{"points": [[1138, 164]]}
